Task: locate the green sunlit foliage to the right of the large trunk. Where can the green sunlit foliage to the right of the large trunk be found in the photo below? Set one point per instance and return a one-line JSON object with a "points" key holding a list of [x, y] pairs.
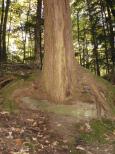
{"points": [[89, 24]]}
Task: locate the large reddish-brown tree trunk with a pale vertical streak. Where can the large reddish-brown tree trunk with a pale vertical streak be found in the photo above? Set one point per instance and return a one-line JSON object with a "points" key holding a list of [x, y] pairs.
{"points": [[58, 68]]}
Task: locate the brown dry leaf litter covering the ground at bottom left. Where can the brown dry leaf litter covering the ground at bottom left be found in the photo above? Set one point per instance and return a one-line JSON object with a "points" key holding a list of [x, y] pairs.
{"points": [[27, 132]]}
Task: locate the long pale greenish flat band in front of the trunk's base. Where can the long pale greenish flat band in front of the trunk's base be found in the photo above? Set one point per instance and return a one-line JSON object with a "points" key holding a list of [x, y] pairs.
{"points": [[61, 109]]}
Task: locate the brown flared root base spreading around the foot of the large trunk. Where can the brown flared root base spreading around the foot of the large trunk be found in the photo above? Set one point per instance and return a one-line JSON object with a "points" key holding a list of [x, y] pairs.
{"points": [[88, 91]]}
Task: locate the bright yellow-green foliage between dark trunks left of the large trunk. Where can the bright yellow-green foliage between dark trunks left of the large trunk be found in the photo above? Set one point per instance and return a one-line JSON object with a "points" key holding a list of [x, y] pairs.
{"points": [[21, 23]]}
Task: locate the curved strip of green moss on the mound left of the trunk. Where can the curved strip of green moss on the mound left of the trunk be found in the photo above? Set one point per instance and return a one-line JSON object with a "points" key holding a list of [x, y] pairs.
{"points": [[6, 92]]}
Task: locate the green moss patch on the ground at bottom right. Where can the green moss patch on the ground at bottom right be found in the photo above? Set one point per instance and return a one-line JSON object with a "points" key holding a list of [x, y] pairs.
{"points": [[100, 130]]}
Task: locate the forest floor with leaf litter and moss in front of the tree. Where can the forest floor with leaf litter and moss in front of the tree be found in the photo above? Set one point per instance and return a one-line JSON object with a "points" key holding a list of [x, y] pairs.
{"points": [[33, 128]]}
